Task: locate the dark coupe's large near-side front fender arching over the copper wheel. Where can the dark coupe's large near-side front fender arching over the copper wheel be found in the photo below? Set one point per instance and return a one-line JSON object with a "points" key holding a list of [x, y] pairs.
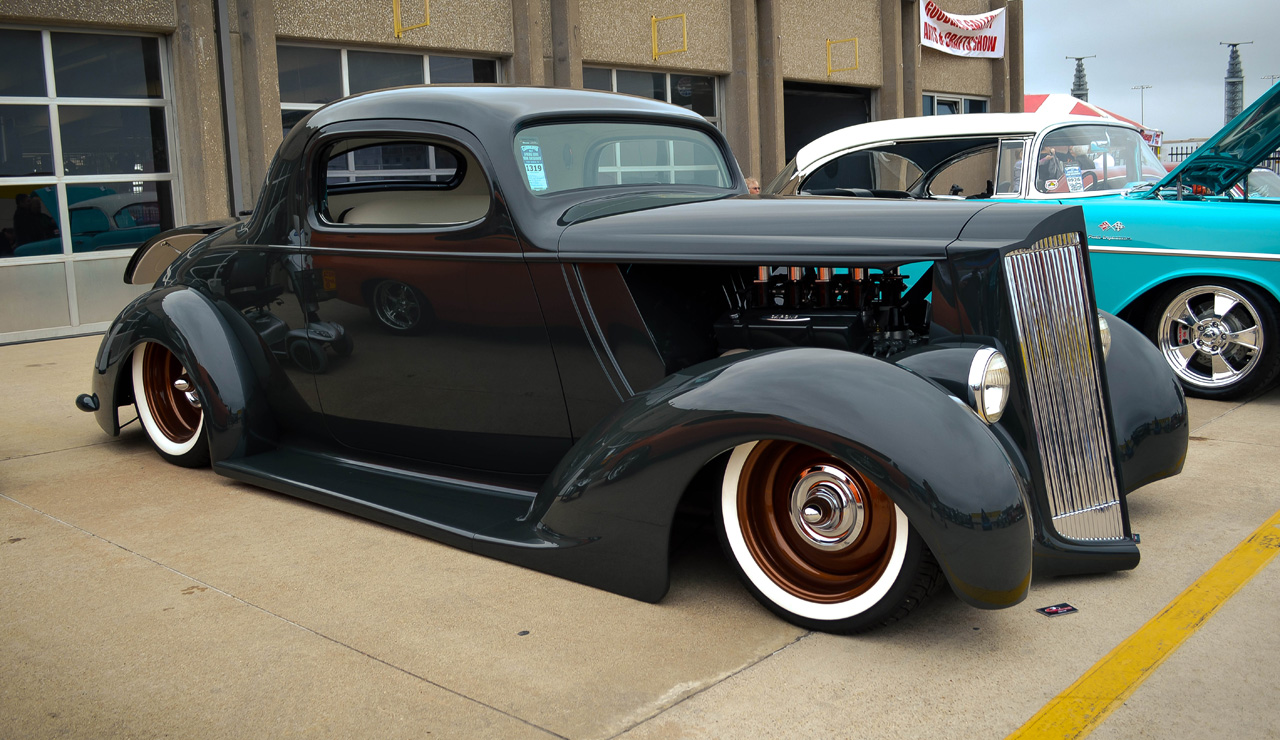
{"points": [[619, 487]]}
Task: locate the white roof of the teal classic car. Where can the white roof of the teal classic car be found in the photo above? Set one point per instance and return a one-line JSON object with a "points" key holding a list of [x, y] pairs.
{"points": [[939, 127]]}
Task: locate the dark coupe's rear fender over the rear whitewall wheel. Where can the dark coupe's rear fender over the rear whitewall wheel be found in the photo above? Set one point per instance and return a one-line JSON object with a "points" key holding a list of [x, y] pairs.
{"points": [[228, 366]]}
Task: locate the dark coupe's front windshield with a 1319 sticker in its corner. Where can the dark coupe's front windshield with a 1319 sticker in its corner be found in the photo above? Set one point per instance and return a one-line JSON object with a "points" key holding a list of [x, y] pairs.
{"points": [[564, 157]]}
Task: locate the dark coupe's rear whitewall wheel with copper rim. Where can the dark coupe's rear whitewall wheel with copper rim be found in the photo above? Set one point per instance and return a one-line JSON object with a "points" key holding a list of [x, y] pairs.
{"points": [[170, 409]]}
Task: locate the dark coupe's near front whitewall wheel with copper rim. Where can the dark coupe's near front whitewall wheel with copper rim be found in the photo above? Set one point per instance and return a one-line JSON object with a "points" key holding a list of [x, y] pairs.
{"points": [[819, 543]]}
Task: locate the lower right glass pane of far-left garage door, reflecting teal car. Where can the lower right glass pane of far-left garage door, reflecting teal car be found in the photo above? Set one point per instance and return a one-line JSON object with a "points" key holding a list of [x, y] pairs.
{"points": [[118, 216]]}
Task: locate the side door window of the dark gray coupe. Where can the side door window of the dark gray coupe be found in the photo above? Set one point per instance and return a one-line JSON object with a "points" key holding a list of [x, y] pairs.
{"points": [[403, 184]]}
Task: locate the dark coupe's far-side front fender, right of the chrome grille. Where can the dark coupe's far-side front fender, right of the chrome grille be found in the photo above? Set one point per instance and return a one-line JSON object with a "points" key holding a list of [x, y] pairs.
{"points": [[1149, 409]]}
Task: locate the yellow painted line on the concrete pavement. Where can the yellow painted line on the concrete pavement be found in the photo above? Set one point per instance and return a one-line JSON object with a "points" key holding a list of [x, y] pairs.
{"points": [[1105, 688]]}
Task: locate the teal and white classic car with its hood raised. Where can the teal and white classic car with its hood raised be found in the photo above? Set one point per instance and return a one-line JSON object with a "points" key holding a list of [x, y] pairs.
{"points": [[1199, 273]]}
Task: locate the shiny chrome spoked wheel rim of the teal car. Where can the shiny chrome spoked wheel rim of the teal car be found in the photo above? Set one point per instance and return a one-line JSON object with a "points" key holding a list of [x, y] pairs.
{"points": [[1212, 336]]}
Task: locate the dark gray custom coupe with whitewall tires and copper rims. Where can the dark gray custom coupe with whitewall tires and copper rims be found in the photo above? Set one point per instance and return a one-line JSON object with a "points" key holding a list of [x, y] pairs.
{"points": [[537, 323]]}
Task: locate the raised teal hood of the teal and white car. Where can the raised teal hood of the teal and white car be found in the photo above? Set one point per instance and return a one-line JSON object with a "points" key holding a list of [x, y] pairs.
{"points": [[1228, 157]]}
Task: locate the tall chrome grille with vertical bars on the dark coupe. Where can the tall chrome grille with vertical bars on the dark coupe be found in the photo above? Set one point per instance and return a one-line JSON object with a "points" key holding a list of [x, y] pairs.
{"points": [[1057, 339]]}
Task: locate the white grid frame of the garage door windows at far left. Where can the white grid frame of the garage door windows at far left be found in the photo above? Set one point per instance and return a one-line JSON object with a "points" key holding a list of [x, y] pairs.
{"points": [[61, 181]]}
